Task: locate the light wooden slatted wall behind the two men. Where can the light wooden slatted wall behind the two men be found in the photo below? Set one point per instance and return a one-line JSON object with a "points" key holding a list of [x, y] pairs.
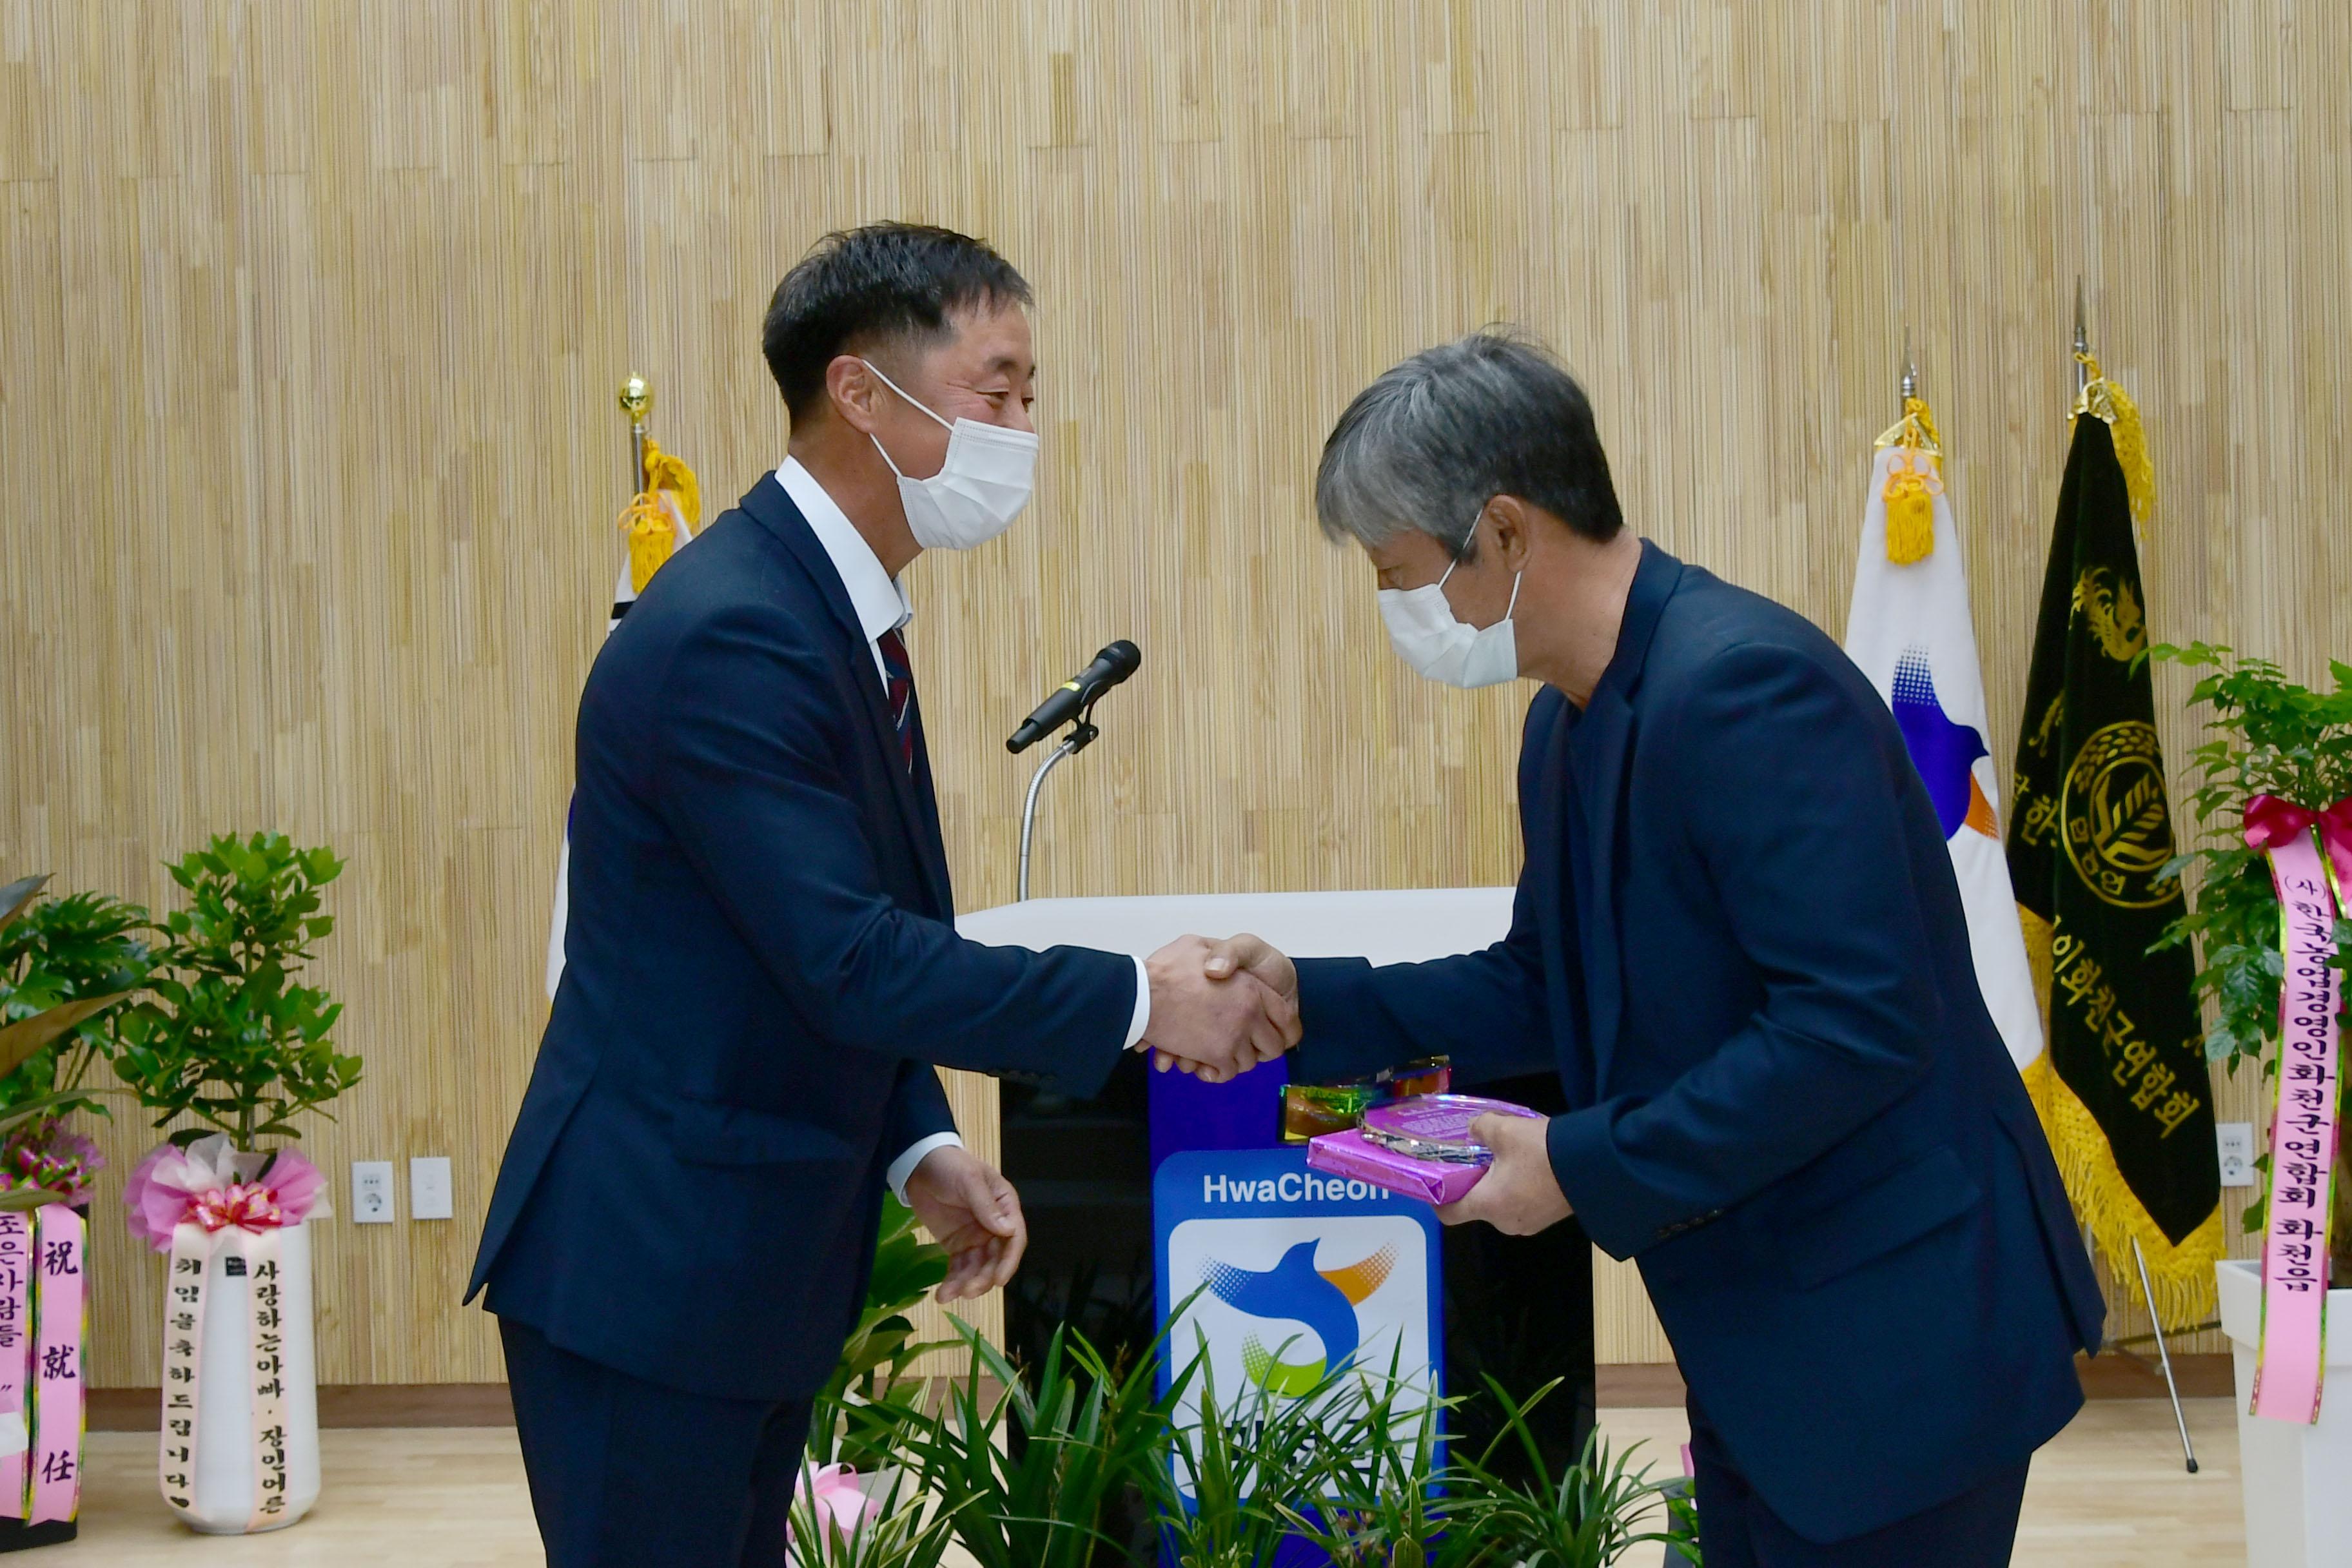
{"points": [[312, 316]]}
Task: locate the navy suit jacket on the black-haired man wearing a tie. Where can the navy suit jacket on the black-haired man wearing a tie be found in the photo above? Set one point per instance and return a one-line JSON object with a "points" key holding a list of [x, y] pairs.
{"points": [[761, 970]]}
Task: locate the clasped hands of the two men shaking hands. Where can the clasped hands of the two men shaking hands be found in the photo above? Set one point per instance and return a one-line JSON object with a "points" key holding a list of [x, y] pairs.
{"points": [[1220, 1010]]}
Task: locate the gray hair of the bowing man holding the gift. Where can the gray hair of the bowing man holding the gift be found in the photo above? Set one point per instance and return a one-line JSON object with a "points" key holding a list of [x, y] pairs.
{"points": [[1441, 436]]}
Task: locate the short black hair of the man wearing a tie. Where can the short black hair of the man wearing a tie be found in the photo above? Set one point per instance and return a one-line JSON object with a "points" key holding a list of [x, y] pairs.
{"points": [[876, 283]]}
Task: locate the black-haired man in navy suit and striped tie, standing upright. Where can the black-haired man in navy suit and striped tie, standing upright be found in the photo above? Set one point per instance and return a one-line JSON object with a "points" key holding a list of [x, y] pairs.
{"points": [[761, 965]]}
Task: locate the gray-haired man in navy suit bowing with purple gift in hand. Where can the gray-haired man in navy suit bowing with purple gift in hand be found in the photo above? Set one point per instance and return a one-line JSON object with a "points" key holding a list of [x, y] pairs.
{"points": [[1742, 946]]}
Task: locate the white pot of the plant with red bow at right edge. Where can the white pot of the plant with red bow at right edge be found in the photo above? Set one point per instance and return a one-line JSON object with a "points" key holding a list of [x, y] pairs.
{"points": [[2299, 1506]]}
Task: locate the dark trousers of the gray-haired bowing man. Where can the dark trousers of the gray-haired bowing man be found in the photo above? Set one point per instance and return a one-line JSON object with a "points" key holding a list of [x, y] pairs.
{"points": [[1737, 1532]]}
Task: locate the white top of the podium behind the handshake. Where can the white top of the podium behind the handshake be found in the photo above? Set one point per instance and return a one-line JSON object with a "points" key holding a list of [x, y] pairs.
{"points": [[1387, 927]]}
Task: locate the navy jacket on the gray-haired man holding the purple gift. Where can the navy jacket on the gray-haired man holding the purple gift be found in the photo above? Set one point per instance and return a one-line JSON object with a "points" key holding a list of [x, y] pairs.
{"points": [[1742, 946]]}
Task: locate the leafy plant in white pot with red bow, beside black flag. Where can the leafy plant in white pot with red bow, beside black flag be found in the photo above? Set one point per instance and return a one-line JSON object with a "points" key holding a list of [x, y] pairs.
{"points": [[2276, 953]]}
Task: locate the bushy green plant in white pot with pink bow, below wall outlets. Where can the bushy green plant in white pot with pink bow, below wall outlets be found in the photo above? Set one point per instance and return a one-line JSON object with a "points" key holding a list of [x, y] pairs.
{"points": [[232, 1050]]}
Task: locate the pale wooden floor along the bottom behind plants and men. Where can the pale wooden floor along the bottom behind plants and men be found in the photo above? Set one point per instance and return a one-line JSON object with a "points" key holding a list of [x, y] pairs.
{"points": [[2109, 1494]]}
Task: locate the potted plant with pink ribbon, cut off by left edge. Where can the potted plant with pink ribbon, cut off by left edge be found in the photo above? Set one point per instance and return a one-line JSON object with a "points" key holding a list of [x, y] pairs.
{"points": [[65, 965]]}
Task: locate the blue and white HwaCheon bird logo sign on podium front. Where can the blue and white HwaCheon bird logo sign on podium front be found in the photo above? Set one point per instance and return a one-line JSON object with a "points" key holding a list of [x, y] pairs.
{"points": [[1285, 1275]]}
